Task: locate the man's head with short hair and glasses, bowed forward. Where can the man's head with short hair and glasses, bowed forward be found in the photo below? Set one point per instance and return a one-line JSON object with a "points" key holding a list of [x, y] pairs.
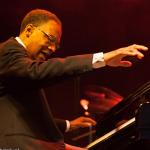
{"points": [[41, 32]]}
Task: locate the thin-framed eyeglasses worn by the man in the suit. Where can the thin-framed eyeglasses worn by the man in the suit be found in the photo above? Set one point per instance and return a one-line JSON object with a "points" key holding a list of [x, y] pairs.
{"points": [[51, 39]]}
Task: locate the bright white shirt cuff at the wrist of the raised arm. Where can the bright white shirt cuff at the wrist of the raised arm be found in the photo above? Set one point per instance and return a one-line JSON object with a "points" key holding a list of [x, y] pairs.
{"points": [[98, 60]]}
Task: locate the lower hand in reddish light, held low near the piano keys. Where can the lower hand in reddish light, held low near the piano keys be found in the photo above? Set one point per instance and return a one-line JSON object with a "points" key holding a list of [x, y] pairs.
{"points": [[82, 122]]}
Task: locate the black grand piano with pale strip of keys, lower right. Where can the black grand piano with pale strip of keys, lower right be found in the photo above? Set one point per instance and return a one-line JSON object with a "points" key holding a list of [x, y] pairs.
{"points": [[127, 125]]}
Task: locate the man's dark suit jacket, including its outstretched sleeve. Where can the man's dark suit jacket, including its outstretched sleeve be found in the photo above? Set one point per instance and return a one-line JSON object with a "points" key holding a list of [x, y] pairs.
{"points": [[23, 110]]}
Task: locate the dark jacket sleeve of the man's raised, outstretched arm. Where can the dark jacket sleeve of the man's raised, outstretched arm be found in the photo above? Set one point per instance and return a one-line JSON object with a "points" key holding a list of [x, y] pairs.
{"points": [[15, 62]]}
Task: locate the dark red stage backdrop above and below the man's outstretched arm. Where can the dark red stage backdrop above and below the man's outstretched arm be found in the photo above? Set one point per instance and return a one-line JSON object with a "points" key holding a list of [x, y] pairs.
{"points": [[89, 26]]}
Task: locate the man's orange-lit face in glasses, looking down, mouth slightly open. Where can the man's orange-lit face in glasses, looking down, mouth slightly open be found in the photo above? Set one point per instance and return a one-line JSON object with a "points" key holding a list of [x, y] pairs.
{"points": [[44, 40]]}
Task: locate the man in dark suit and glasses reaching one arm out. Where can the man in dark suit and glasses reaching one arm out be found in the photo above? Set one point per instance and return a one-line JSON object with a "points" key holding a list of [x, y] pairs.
{"points": [[26, 119]]}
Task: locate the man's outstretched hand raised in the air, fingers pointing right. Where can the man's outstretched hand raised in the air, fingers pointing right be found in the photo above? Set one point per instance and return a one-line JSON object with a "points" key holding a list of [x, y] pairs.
{"points": [[114, 58]]}
